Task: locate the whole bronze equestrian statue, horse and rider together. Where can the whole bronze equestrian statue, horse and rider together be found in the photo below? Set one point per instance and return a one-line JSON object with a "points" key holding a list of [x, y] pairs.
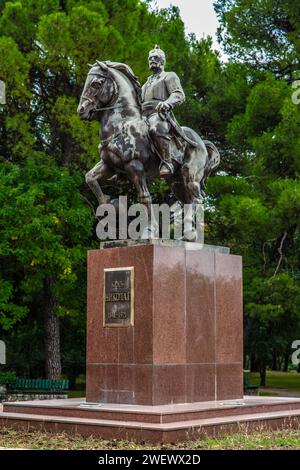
{"points": [[139, 135]]}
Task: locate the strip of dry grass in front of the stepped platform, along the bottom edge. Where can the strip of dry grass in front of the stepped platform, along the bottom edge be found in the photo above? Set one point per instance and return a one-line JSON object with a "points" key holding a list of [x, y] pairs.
{"points": [[282, 440]]}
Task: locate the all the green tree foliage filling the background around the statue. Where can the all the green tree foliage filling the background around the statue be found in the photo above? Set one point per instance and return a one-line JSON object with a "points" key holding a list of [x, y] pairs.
{"points": [[46, 212]]}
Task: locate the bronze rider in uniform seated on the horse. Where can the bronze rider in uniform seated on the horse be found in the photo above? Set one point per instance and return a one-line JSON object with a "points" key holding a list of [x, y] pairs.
{"points": [[161, 92]]}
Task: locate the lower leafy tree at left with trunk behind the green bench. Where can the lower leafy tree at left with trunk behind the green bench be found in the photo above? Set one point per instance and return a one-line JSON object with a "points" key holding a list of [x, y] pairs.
{"points": [[45, 226]]}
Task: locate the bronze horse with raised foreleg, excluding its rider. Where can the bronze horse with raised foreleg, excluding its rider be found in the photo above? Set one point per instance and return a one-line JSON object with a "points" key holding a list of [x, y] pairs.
{"points": [[112, 94]]}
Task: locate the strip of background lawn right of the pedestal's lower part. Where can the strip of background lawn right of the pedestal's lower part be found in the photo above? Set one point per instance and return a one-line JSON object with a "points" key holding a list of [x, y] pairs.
{"points": [[283, 380]]}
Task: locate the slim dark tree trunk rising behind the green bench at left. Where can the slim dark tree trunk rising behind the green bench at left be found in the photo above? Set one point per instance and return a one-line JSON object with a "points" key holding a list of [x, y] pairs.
{"points": [[52, 334]]}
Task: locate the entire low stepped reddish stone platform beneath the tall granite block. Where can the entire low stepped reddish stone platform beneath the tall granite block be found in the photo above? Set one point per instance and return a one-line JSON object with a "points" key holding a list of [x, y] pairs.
{"points": [[153, 424]]}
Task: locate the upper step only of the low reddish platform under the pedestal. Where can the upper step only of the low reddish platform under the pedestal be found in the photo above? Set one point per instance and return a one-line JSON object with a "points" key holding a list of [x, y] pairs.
{"points": [[154, 414]]}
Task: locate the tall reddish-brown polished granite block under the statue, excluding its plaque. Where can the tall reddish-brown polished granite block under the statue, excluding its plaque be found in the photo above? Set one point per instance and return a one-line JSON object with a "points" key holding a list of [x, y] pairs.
{"points": [[186, 344]]}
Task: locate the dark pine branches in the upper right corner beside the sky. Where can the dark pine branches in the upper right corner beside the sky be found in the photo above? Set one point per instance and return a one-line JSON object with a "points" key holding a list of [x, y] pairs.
{"points": [[264, 33]]}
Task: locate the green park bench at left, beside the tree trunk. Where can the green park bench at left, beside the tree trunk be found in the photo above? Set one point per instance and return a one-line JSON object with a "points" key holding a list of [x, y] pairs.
{"points": [[39, 386]]}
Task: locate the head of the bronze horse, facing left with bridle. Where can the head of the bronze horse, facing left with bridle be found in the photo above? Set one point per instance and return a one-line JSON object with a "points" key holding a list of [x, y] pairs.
{"points": [[100, 90]]}
